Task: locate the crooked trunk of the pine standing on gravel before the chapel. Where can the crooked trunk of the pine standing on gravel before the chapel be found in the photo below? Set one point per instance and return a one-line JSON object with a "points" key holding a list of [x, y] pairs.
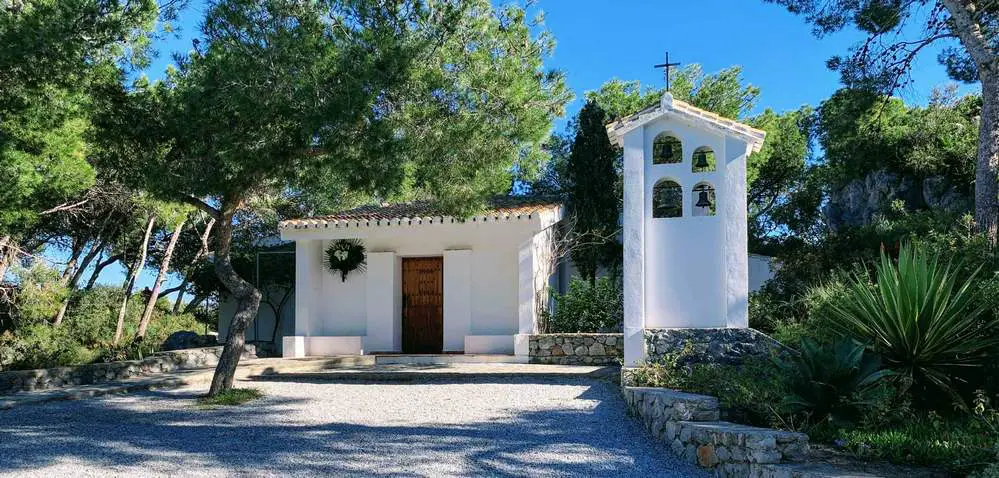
{"points": [[247, 302]]}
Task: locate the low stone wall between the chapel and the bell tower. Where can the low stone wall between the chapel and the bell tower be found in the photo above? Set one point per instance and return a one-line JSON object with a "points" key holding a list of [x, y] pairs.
{"points": [[577, 349]]}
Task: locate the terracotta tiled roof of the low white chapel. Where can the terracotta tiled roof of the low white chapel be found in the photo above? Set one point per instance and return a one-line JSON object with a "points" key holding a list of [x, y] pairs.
{"points": [[418, 212]]}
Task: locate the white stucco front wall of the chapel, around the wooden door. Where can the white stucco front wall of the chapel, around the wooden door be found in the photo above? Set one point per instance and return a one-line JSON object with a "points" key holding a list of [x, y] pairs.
{"points": [[482, 282]]}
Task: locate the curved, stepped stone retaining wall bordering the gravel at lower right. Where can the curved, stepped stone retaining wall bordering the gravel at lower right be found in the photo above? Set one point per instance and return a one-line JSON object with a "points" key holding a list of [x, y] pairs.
{"points": [[689, 426]]}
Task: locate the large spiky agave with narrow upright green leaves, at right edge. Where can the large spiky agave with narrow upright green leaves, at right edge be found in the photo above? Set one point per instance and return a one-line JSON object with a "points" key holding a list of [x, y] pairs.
{"points": [[918, 317]]}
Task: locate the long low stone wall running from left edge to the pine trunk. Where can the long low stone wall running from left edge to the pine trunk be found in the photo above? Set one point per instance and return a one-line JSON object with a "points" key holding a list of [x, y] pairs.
{"points": [[43, 379]]}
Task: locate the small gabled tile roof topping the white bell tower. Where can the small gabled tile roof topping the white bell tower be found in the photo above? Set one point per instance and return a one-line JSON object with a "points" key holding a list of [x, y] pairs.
{"points": [[753, 136]]}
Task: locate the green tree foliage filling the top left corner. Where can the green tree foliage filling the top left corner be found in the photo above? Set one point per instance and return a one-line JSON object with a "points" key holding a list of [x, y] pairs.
{"points": [[56, 55]]}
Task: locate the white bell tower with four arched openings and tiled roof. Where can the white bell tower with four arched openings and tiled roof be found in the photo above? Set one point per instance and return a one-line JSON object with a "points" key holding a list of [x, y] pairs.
{"points": [[684, 222]]}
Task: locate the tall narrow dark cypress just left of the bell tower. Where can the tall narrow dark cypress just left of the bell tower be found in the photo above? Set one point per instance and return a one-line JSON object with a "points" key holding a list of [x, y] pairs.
{"points": [[593, 205]]}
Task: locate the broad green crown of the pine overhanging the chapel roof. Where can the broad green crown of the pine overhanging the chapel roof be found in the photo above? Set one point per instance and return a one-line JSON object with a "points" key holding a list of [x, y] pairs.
{"points": [[400, 74]]}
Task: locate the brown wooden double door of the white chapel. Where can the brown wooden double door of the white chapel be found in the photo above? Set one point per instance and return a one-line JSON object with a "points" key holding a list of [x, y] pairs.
{"points": [[423, 305]]}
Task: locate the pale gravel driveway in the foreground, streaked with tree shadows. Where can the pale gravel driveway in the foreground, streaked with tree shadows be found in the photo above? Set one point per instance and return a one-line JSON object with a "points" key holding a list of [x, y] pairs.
{"points": [[532, 426]]}
